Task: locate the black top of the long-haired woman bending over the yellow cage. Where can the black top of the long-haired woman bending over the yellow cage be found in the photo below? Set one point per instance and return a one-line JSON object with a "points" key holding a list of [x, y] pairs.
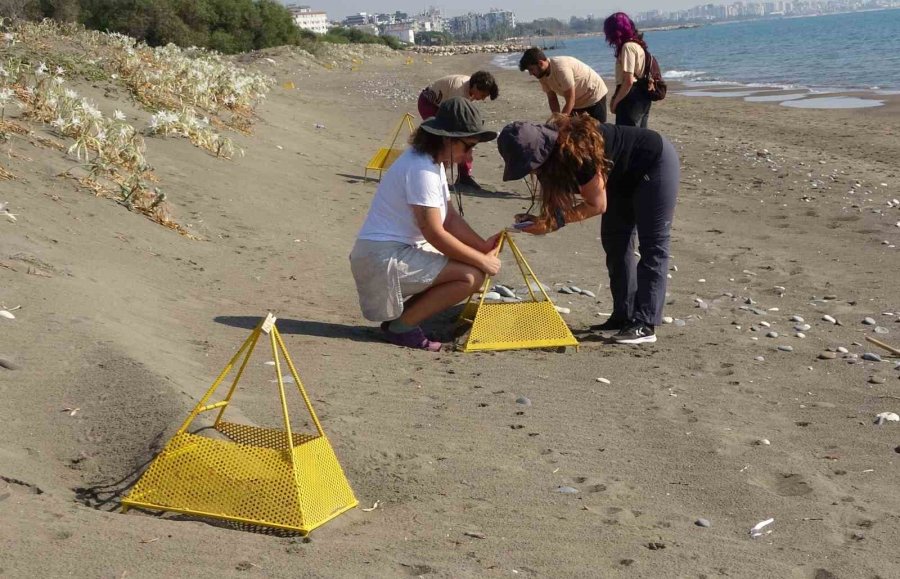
{"points": [[632, 152]]}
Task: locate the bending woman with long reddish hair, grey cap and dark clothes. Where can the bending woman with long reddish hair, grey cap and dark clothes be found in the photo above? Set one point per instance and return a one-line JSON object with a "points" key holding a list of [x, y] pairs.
{"points": [[629, 175]]}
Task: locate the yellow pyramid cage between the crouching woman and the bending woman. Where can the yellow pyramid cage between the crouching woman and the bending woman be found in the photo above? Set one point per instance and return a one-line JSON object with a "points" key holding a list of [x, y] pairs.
{"points": [[515, 325]]}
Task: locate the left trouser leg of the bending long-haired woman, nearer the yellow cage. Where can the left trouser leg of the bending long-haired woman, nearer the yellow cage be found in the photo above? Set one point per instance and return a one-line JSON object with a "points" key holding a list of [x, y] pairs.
{"points": [[617, 237]]}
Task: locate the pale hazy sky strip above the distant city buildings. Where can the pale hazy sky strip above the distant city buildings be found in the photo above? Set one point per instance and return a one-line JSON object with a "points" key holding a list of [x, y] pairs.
{"points": [[524, 10]]}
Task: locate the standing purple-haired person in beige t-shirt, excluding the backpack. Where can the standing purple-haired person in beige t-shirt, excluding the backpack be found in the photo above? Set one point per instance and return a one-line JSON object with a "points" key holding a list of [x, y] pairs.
{"points": [[630, 104]]}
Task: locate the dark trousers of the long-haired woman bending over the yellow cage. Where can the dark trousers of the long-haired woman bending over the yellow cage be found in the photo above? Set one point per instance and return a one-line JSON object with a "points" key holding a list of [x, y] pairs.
{"points": [[639, 287]]}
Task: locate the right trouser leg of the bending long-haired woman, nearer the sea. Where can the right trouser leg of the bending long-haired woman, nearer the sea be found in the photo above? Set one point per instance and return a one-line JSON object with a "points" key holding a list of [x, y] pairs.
{"points": [[654, 207]]}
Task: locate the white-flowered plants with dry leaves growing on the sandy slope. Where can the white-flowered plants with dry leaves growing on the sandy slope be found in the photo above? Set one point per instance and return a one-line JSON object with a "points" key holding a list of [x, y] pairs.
{"points": [[193, 93]]}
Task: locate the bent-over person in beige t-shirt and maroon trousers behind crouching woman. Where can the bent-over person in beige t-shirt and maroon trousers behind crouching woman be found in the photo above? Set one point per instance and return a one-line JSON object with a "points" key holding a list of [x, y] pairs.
{"points": [[477, 87]]}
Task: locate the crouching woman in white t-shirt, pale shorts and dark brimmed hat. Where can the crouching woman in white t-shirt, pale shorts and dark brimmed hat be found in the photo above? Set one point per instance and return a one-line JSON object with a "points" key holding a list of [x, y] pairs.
{"points": [[414, 245]]}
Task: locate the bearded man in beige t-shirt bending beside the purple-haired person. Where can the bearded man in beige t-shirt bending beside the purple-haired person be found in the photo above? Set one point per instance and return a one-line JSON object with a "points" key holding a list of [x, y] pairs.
{"points": [[579, 85]]}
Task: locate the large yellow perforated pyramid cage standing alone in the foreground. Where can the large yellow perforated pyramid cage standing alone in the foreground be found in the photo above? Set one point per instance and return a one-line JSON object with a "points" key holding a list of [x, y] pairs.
{"points": [[260, 476]]}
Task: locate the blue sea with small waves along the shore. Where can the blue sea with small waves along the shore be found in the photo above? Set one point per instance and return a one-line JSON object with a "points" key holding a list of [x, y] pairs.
{"points": [[811, 56]]}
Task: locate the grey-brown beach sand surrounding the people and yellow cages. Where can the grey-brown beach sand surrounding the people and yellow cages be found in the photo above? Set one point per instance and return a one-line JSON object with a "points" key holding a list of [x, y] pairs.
{"points": [[129, 322]]}
